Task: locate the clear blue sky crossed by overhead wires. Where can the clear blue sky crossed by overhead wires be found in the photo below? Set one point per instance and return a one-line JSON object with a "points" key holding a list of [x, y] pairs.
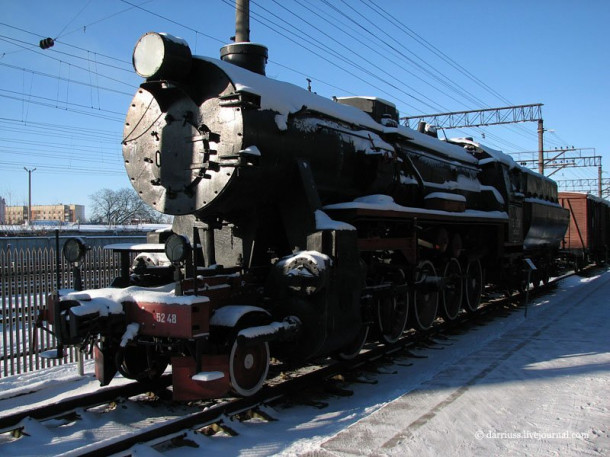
{"points": [[62, 109]]}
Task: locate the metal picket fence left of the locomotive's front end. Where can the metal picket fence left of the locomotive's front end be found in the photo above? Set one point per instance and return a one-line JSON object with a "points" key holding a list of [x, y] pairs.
{"points": [[27, 277]]}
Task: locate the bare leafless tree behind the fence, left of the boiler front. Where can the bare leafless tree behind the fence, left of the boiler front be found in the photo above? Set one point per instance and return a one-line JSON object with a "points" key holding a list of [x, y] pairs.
{"points": [[122, 207]]}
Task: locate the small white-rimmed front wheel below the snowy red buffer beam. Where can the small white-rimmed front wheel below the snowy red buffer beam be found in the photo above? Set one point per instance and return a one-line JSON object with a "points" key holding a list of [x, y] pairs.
{"points": [[248, 367]]}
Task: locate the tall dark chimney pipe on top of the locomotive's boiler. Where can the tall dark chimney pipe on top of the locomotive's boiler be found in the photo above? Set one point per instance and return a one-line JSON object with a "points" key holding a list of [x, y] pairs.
{"points": [[242, 53]]}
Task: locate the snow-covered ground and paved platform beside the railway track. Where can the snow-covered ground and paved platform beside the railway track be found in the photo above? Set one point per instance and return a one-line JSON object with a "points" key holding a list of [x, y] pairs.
{"points": [[535, 385]]}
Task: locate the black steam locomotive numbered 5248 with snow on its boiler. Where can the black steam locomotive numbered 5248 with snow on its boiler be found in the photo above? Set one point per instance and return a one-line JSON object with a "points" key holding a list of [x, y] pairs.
{"points": [[303, 226]]}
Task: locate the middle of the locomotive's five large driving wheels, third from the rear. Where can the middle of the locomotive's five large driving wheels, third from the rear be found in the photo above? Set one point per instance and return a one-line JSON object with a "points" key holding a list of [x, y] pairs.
{"points": [[426, 295]]}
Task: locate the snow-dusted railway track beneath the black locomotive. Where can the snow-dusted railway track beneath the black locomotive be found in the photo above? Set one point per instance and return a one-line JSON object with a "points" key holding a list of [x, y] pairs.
{"points": [[216, 413]]}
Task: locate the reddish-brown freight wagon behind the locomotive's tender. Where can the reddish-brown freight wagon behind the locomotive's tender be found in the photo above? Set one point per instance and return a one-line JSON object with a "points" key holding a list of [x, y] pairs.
{"points": [[587, 237]]}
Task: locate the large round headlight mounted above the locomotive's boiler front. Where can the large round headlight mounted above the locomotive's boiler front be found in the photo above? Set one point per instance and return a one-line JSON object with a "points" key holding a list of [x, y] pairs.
{"points": [[162, 56]]}
